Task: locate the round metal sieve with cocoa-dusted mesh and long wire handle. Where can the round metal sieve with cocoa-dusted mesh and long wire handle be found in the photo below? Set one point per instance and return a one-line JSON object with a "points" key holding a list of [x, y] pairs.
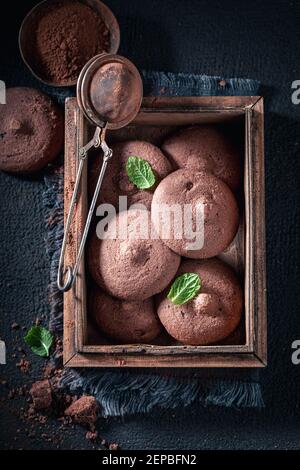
{"points": [[109, 93]]}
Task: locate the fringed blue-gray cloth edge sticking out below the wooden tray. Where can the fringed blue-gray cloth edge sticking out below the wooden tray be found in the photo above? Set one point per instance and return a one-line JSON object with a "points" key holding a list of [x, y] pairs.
{"points": [[121, 394]]}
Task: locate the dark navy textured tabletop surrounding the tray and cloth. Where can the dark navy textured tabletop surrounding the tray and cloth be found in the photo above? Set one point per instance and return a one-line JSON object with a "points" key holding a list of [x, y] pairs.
{"points": [[254, 39]]}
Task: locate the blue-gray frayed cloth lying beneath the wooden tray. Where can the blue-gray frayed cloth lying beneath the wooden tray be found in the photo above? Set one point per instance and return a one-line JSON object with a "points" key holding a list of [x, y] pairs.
{"points": [[134, 390]]}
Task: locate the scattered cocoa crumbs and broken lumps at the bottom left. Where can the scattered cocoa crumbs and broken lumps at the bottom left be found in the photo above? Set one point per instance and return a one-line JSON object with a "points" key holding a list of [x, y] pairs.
{"points": [[45, 401]]}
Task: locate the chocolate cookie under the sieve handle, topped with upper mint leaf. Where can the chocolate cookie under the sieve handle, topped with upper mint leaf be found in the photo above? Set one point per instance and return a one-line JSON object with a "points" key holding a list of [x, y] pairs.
{"points": [[116, 182]]}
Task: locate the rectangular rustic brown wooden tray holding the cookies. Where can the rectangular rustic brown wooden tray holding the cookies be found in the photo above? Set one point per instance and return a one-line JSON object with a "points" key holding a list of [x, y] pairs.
{"points": [[157, 117]]}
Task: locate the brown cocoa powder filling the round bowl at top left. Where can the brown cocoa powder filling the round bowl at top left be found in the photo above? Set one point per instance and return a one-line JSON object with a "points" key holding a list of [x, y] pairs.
{"points": [[67, 34]]}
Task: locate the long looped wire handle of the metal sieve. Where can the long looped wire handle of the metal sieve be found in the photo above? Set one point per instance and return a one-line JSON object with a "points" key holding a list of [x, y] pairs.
{"points": [[66, 275]]}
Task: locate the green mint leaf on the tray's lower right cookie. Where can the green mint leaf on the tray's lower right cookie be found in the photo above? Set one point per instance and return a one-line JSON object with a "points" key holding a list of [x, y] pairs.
{"points": [[184, 288]]}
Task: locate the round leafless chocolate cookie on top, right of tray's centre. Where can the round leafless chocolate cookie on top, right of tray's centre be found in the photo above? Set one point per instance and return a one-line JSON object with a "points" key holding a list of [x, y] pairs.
{"points": [[187, 189]]}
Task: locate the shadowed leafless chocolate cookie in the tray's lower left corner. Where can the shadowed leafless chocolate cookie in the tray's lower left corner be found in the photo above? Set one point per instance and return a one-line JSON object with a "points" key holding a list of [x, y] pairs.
{"points": [[122, 320]]}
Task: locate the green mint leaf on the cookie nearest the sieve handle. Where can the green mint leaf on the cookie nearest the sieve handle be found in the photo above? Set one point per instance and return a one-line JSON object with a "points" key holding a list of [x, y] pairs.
{"points": [[140, 173]]}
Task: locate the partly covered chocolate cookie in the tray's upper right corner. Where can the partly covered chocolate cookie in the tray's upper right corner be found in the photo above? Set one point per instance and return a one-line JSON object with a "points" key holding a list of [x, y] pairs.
{"points": [[205, 148]]}
